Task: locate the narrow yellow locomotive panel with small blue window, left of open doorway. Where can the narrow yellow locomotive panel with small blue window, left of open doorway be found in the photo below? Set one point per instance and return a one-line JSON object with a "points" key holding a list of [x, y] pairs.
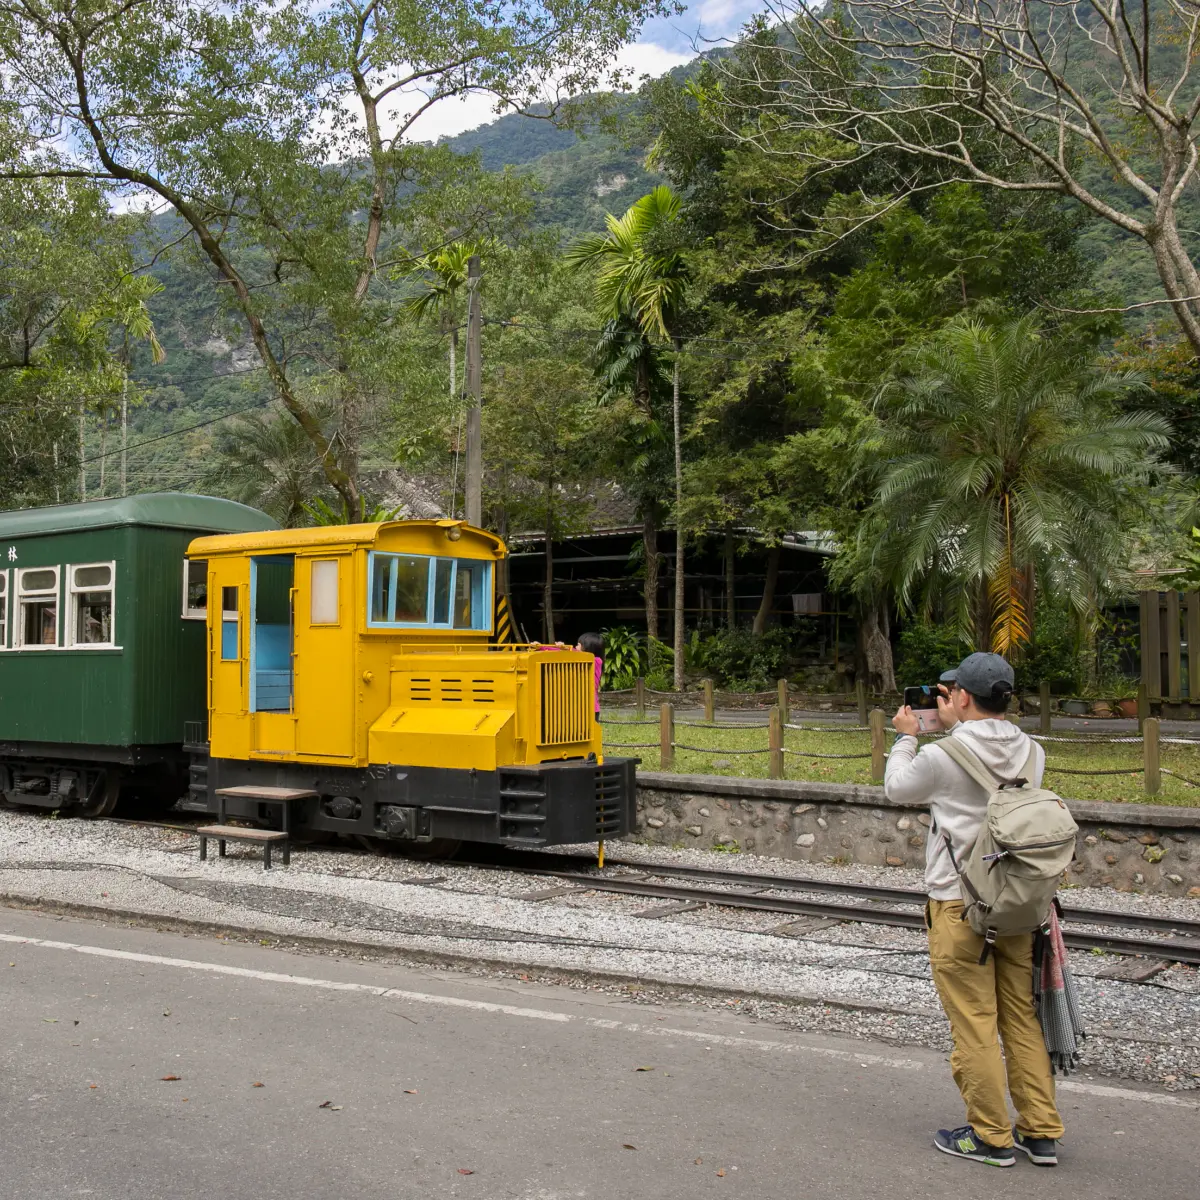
{"points": [[229, 651]]}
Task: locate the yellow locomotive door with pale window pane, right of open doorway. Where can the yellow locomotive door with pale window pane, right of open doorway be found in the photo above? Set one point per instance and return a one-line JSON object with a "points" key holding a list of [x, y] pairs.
{"points": [[325, 656]]}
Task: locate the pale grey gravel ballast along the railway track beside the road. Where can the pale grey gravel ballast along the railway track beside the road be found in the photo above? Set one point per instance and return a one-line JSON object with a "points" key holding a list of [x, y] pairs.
{"points": [[854, 979]]}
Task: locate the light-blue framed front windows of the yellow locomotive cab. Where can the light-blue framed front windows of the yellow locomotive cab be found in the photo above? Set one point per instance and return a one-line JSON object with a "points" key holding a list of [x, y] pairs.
{"points": [[421, 592]]}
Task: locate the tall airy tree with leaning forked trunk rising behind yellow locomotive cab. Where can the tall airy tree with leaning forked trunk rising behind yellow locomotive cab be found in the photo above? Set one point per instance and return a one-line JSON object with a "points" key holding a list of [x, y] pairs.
{"points": [[283, 137]]}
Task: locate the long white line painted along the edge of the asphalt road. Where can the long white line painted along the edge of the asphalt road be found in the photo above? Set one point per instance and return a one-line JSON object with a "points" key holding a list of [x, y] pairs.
{"points": [[542, 1015]]}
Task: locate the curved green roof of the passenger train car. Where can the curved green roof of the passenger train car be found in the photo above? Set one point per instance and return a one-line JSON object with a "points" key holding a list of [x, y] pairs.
{"points": [[165, 511]]}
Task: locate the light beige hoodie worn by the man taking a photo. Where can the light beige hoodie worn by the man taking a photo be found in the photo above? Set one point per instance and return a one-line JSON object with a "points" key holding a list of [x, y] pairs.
{"points": [[957, 803]]}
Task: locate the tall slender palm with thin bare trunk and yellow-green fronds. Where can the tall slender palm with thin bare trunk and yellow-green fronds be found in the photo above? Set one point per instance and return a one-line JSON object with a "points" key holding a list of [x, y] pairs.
{"points": [[643, 279]]}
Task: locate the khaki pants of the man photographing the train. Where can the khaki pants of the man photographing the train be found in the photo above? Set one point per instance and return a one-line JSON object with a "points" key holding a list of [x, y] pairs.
{"points": [[985, 1004]]}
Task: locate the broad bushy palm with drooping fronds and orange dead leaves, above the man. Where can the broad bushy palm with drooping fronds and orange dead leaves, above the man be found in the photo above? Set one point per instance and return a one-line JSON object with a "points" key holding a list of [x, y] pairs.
{"points": [[1006, 463]]}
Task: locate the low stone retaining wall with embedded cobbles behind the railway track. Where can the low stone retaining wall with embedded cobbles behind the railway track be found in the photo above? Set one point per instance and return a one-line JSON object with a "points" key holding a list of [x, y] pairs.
{"points": [[1144, 847]]}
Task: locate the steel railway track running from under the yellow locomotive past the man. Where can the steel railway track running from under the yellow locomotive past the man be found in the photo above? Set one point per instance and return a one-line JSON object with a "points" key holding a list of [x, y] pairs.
{"points": [[1178, 941]]}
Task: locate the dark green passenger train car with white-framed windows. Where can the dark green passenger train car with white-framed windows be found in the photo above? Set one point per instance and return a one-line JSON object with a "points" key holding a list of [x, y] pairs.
{"points": [[103, 641]]}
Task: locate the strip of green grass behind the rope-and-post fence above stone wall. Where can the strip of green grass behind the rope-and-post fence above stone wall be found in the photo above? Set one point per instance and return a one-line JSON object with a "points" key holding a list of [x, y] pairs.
{"points": [[719, 743]]}
